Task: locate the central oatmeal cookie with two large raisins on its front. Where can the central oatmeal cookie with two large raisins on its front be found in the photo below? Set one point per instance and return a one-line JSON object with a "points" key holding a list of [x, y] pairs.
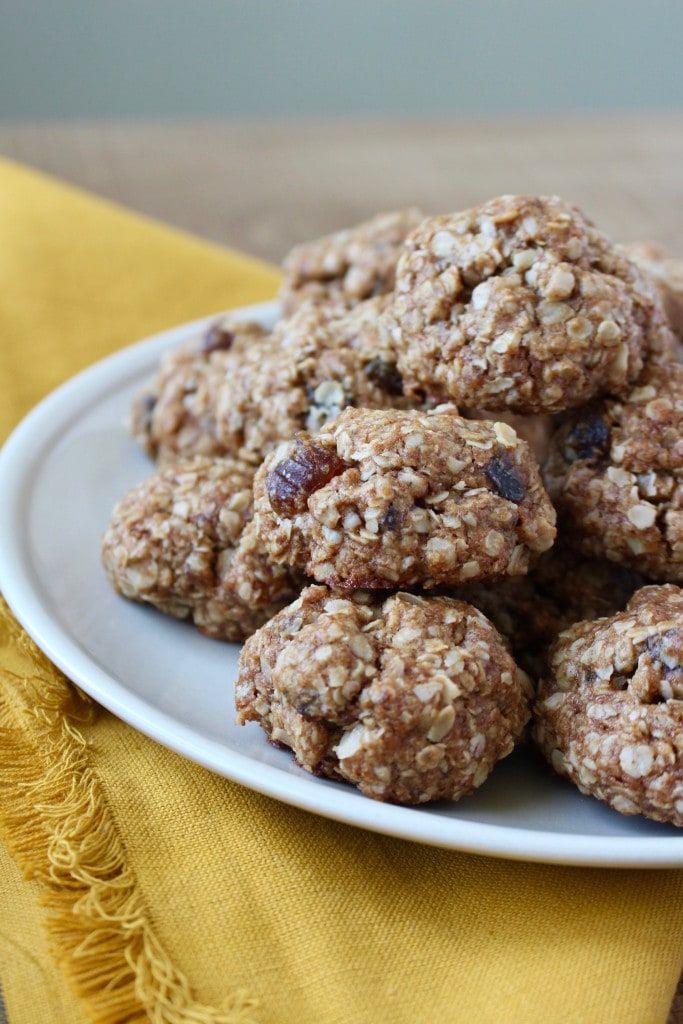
{"points": [[401, 498]]}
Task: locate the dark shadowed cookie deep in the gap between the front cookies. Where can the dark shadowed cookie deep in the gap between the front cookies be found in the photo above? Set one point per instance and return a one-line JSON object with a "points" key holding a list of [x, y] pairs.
{"points": [[562, 589]]}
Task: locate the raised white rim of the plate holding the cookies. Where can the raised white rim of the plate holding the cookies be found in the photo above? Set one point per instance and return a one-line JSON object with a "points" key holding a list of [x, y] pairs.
{"points": [[23, 452]]}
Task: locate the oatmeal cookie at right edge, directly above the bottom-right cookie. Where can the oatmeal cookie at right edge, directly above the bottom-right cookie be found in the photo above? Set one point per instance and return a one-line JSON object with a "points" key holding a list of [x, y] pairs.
{"points": [[616, 475]]}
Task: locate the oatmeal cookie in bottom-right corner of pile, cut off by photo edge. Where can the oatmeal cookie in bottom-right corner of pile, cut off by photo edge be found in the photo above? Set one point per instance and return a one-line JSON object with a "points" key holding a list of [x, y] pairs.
{"points": [[610, 715]]}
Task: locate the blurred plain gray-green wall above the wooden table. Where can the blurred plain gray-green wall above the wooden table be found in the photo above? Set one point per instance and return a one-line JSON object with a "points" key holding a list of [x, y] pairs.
{"points": [[76, 59]]}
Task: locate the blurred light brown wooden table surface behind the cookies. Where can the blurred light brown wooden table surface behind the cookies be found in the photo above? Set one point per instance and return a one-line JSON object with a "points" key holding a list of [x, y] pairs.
{"points": [[263, 187]]}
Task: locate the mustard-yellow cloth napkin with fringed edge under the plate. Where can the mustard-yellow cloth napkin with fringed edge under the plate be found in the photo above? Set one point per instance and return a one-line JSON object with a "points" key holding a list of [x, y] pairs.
{"points": [[170, 895]]}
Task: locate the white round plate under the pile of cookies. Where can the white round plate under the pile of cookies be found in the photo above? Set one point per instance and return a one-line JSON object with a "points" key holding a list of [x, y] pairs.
{"points": [[61, 474]]}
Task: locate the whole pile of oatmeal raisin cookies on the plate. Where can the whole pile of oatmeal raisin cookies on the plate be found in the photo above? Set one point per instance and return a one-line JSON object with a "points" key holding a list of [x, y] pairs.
{"points": [[455, 464]]}
